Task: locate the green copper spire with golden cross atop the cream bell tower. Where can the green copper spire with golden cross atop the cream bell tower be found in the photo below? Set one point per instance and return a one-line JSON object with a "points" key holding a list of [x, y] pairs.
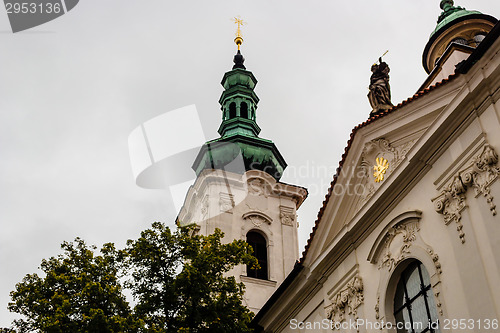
{"points": [[239, 148]]}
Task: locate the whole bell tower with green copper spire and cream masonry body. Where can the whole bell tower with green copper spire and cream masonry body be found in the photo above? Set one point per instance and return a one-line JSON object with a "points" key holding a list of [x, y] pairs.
{"points": [[238, 189]]}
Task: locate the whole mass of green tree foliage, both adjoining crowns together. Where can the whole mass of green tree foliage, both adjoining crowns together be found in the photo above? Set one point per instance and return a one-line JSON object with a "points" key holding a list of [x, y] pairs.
{"points": [[178, 280]]}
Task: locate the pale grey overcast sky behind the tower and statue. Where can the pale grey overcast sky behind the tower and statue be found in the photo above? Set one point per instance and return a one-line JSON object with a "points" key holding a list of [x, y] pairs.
{"points": [[72, 90]]}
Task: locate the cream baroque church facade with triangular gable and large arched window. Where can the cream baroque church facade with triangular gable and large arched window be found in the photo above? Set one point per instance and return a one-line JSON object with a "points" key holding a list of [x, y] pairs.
{"points": [[417, 238]]}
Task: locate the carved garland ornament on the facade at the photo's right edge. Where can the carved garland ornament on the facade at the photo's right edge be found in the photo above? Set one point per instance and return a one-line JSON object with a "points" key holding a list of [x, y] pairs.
{"points": [[479, 175]]}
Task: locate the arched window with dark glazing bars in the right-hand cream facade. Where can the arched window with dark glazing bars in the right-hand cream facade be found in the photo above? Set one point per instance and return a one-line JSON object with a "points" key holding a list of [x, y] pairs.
{"points": [[414, 305]]}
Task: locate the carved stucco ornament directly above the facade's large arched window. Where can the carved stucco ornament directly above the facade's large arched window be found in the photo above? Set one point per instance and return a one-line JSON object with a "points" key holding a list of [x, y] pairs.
{"points": [[391, 258]]}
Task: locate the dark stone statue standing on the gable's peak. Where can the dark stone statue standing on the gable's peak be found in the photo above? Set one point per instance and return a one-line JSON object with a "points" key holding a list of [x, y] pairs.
{"points": [[380, 90]]}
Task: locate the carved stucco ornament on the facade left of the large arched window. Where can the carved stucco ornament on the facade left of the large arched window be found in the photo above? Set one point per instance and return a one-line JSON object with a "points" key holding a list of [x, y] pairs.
{"points": [[346, 301]]}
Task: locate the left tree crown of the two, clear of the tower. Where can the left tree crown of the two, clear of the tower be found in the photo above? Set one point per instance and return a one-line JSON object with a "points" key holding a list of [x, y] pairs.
{"points": [[80, 292]]}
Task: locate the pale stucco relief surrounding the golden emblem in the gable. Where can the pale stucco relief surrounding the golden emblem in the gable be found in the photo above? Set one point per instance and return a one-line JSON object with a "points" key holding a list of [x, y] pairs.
{"points": [[380, 148]]}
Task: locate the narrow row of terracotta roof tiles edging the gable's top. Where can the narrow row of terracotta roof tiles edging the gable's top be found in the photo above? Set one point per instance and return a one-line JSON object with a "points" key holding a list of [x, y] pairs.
{"points": [[349, 143]]}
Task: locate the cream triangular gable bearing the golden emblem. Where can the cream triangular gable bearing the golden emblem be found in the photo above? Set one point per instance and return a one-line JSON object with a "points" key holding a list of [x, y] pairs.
{"points": [[376, 151]]}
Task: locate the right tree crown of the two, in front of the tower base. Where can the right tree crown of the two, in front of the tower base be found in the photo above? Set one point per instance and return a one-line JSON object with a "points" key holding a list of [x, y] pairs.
{"points": [[196, 298]]}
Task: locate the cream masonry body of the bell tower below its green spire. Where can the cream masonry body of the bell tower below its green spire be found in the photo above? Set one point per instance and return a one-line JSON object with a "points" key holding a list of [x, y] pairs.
{"points": [[240, 205]]}
